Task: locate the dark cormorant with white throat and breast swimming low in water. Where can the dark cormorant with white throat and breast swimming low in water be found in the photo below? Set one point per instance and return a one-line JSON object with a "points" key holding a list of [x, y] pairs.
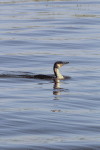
{"points": [[57, 74]]}
